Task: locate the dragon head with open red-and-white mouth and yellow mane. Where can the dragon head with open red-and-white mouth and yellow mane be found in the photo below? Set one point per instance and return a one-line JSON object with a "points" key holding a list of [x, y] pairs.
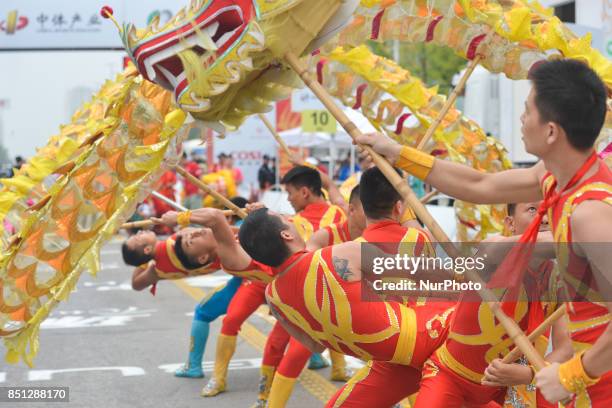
{"points": [[220, 58]]}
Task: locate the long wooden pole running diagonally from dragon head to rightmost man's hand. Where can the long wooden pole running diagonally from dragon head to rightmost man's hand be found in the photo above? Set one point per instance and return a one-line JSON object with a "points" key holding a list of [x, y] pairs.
{"points": [[515, 333]]}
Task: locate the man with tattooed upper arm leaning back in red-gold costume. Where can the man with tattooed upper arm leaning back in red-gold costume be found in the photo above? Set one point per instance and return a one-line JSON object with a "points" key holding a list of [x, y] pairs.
{"points": [[309, 283]]}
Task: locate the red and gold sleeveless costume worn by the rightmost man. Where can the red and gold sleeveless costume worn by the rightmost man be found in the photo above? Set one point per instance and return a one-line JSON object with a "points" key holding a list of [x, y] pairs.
{"points": [[588, 315]]}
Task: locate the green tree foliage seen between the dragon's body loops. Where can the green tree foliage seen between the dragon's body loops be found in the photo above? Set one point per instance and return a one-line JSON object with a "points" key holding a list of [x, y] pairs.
{"points": [[433, 64]]}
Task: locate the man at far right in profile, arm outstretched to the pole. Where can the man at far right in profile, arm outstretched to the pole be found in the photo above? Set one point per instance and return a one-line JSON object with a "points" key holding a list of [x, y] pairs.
{"points": [[563, 117]]}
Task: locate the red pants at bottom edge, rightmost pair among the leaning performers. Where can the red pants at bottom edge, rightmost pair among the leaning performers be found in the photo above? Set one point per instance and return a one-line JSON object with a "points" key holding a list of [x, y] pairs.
{"points": [[440, 387]]}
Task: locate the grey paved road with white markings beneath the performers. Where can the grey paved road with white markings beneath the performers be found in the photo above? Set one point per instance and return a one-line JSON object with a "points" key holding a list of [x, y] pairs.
{"points": [[118, 348]]}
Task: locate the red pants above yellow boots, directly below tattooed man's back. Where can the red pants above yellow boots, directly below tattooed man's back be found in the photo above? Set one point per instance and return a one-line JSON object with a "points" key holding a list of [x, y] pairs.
{"points": [[289, 363]]}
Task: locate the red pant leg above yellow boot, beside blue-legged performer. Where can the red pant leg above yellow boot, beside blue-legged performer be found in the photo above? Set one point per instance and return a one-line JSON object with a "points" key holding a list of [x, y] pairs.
{"points": [[249, 296]]}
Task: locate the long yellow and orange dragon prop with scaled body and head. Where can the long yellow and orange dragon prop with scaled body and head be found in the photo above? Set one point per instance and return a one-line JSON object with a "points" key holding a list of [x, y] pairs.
{"points": [[221, 61]]}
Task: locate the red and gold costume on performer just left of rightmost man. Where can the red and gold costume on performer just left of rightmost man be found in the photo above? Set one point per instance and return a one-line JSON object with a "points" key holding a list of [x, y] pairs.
{"points": [[452, 376]]}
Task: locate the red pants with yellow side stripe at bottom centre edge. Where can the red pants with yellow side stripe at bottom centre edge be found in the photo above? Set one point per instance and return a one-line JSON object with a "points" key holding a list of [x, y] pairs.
{"points": [[379, 384]]}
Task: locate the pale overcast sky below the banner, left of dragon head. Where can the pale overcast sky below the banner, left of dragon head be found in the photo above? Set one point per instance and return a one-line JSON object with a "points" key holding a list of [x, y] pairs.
{"points": [[39, 91]]}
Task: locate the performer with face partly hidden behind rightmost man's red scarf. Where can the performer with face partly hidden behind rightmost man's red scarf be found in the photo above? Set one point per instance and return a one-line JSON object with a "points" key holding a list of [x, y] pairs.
{"points": [[455, 374]]}
